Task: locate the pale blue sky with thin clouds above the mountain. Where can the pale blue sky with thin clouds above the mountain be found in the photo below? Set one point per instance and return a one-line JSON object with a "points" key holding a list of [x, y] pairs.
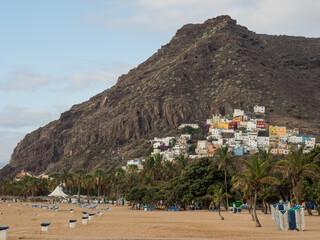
{"points": [[54, 54]]}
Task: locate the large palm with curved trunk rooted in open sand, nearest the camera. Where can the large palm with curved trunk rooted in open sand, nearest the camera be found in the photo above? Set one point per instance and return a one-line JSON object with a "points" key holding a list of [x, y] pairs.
{"points": [[255, 176]]}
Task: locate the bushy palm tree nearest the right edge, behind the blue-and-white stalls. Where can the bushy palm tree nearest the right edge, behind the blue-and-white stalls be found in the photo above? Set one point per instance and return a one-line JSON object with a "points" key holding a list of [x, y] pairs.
{"points": [[296, 166]]}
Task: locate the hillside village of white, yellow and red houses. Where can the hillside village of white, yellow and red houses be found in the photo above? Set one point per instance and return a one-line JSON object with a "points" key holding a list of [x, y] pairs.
{"points": [[243, 134]]}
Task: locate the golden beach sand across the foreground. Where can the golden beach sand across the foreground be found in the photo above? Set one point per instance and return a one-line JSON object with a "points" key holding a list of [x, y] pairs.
{"points": [[121, 223]]}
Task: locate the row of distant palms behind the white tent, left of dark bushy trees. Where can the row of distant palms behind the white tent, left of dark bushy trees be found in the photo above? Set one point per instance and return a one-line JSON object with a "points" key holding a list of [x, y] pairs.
{"points": [[116, 184]]}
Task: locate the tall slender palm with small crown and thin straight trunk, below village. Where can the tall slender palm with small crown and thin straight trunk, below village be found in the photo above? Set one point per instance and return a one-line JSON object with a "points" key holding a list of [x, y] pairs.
{"points": [[224, 160]]}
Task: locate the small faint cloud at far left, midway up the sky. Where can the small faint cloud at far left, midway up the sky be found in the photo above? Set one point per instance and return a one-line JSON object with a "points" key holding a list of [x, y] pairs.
{"points": [[23, 78]]}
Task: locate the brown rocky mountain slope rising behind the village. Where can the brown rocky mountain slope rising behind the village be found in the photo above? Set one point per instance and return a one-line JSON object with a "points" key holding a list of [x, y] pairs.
{"points": [[205, 69]]}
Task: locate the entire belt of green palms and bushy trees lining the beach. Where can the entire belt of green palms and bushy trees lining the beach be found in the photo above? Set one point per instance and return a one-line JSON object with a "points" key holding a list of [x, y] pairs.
{"points": [[161, 183]]}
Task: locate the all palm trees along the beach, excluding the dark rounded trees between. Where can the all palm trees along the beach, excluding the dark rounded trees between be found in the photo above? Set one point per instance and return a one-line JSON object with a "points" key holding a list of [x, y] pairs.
{"points": [[252, 179]]}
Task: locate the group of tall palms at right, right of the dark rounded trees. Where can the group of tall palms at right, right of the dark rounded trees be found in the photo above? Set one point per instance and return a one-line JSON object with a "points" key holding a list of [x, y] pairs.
{"points": [[259, 172]]}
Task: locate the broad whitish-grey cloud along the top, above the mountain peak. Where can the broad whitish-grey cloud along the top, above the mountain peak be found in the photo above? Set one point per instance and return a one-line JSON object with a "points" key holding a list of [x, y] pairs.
{"points": [[292, 17]]}
